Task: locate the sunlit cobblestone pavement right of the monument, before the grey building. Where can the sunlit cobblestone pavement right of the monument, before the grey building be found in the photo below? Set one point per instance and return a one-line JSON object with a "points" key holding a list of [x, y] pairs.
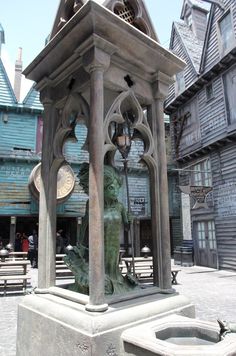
{"points": [[211, 291]]}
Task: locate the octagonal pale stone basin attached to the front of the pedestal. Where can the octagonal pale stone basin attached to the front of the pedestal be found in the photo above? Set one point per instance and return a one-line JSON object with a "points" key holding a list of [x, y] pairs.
{"points": [[178, 335]]}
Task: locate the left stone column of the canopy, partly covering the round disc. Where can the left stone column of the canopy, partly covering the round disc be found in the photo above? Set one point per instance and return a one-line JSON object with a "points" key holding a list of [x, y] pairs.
{"points": [[47, 206]]}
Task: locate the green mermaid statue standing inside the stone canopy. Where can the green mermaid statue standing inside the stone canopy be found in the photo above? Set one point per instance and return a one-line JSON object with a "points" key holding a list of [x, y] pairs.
{"points": [[115, 215]]}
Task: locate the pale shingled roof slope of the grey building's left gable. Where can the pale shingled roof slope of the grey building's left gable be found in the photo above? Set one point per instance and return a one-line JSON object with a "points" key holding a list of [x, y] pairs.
{"points": [[191, 43]]}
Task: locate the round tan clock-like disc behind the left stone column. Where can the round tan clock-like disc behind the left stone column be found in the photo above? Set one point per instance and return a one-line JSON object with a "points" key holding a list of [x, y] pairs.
{"points": [[65, 181]]}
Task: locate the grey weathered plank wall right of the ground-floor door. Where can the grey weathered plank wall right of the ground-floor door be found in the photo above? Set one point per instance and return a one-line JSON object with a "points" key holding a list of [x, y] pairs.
{"points": [[224, 192]]}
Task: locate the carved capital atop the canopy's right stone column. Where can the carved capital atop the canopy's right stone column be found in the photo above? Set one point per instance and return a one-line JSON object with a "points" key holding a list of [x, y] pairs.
{"points": [[160, 85]]}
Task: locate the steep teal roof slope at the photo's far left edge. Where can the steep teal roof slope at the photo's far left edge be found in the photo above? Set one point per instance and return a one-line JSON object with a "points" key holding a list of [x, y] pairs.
{"points": [[7, 96]]}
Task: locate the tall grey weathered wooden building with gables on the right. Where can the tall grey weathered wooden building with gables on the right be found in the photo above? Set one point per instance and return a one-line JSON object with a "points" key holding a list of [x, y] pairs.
{"points": [[202, 109]]}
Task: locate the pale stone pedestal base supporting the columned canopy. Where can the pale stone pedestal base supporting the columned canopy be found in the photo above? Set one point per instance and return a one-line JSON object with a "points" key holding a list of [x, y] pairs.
{"points": [[52, 325]]}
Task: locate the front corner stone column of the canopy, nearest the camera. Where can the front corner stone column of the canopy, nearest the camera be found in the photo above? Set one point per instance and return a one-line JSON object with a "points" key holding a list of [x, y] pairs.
{"points": [[96, 62]]}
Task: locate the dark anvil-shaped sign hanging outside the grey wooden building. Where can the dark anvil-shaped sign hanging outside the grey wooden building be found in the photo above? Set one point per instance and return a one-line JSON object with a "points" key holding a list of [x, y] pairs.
{"points": [[198, 193]]}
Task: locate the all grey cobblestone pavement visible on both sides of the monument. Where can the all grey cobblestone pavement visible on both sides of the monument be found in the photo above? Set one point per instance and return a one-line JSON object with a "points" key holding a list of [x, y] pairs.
{"points": [[211, 291]]}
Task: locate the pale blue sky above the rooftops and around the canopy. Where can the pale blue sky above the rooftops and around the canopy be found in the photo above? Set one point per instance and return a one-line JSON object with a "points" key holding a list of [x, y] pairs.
{"points": [[27, 23]]}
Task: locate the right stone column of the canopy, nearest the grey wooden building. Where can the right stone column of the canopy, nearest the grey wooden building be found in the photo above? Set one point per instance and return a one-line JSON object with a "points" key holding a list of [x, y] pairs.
{"points": [[160, 87]]}
